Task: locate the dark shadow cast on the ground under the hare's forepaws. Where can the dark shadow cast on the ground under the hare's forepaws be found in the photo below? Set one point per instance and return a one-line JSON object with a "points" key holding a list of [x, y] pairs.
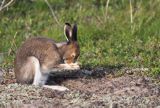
{"points": [[87, 73]]}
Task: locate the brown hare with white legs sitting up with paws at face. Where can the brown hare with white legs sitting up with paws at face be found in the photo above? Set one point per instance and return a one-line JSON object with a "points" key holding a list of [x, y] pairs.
{"points": [[39, 56]]}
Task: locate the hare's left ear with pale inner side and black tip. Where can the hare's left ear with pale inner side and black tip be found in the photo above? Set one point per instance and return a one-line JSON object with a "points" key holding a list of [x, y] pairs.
{"points": [[68, 31]]}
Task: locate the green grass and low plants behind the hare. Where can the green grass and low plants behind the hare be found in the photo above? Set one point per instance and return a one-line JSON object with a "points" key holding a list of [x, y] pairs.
{"points": [[106, 36]]}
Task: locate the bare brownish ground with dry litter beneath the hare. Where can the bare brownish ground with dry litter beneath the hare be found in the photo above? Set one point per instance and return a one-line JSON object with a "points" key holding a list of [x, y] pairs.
{"points": [[88, 88]]}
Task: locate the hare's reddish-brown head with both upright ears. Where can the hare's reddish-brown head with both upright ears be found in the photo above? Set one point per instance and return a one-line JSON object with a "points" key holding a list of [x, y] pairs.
{"points": [[72, 49]]}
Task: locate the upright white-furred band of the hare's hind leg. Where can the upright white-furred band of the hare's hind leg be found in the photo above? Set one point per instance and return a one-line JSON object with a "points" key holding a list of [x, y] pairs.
{"points": [[39, 77]]}
